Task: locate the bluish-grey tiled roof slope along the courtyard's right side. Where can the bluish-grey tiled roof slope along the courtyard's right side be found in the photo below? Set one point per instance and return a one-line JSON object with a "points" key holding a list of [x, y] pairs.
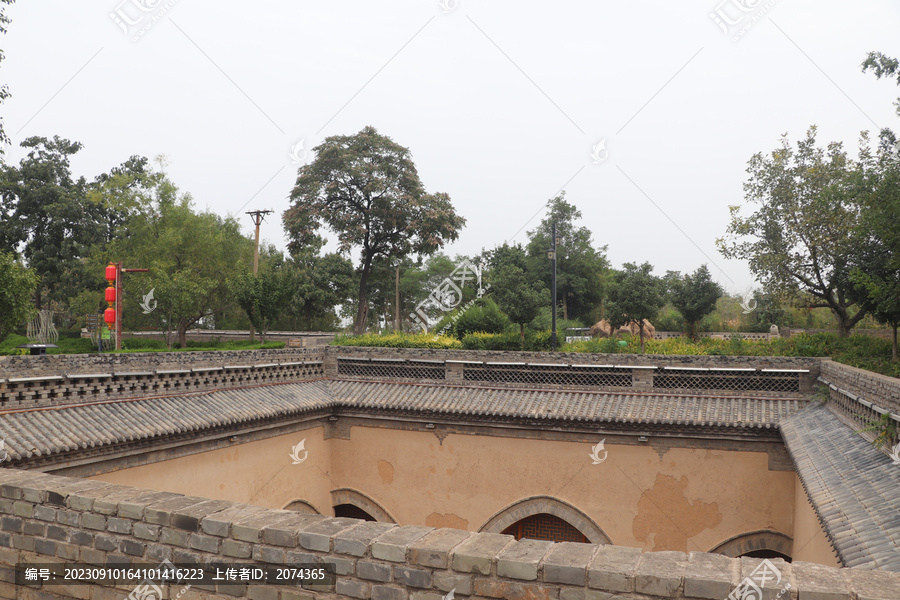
{"points": [[854, 488]]}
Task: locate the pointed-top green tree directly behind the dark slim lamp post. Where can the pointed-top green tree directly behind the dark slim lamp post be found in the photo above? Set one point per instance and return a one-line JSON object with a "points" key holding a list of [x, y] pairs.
{"points": [[580, 268]]}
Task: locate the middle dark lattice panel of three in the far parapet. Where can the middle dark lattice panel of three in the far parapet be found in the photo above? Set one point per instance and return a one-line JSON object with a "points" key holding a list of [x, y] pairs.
{"points": [[588, 376]]}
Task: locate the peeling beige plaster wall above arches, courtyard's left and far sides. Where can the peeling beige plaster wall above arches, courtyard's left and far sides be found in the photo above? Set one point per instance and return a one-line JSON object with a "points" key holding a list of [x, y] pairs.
{"points": [[688, 499]]}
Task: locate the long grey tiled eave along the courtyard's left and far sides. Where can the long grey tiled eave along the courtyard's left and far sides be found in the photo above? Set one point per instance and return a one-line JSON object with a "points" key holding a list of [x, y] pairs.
{"points": [[35, 432]]}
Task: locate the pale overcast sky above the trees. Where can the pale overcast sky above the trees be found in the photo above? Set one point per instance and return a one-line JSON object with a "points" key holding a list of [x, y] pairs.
{"points": [[645, 113]]}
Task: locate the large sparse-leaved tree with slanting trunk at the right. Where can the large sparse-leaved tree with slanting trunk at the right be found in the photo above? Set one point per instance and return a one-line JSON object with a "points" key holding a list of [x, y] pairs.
{"points": [[800, 239]]}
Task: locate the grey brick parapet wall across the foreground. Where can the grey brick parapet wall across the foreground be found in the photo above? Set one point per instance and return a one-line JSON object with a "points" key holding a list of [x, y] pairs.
{"points": [[50, 519]]}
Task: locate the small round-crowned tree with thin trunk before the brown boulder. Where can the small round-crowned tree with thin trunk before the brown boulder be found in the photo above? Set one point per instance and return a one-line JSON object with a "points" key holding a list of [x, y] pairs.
{"points": [[636, 294]]}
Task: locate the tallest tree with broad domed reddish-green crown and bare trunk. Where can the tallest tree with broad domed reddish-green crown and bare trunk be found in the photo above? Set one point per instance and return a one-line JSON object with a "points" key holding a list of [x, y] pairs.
{"points": [[365, 188]]}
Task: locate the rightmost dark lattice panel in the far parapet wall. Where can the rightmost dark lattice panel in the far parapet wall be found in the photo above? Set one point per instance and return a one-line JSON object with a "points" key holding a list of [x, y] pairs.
{"points": [[698, 379]]}
